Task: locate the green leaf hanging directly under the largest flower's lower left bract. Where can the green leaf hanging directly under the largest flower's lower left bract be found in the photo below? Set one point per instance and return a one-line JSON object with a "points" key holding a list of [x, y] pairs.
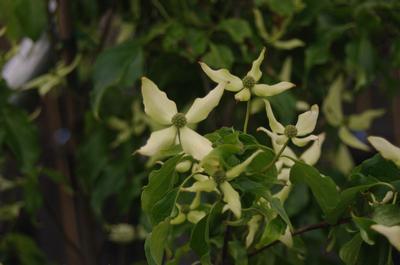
{"points": [[160, 183]]}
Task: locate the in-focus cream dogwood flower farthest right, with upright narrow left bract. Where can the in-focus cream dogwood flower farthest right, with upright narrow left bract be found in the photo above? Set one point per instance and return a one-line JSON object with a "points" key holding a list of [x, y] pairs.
{"points": [[305, 125]]}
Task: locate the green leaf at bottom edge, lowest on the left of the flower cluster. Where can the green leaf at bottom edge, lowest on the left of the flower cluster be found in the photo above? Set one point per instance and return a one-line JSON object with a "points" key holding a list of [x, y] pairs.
{"points": [[156, 242]]}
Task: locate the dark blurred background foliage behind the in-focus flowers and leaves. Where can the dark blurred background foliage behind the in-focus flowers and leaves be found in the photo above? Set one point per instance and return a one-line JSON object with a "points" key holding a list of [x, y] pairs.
{"points": [[67, 133]]}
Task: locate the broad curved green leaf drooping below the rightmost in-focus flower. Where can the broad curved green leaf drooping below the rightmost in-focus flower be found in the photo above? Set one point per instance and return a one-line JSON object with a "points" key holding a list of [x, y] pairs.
{"points": [[322, 187]]}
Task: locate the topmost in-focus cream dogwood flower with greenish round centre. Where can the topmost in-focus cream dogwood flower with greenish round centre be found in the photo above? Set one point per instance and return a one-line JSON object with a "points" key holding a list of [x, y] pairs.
{"points": [[248, 85]]}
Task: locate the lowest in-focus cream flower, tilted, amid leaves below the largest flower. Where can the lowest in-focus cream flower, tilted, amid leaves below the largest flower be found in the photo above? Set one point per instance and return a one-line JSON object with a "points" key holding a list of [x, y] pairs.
{"points": [[220, 179]]}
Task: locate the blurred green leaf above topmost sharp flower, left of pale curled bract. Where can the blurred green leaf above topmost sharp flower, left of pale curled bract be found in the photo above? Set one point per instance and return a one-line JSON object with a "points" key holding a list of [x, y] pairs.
{"points": [[237, 28]]}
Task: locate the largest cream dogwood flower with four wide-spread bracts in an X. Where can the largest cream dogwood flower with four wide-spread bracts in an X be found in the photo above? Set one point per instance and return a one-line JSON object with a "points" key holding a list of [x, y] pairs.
{"points": [[164, 111]]}
